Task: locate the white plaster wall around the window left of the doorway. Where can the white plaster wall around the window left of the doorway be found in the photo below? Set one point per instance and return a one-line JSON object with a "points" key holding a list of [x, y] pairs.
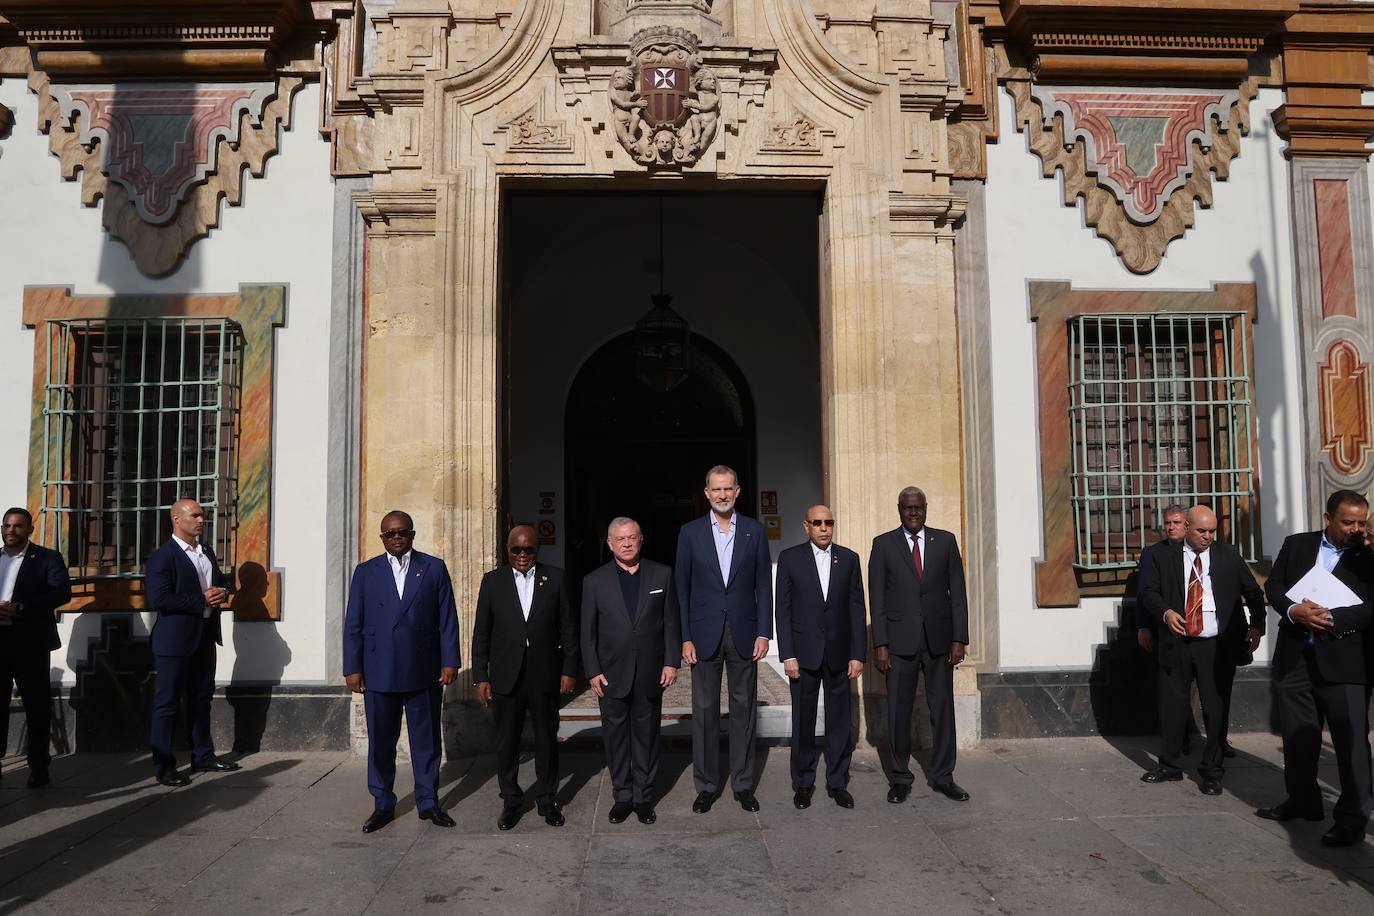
{"points": [[281, 234]]}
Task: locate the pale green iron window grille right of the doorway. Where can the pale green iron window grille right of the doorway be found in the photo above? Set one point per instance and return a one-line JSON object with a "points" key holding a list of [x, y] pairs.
{"points": [[1160, 413]]}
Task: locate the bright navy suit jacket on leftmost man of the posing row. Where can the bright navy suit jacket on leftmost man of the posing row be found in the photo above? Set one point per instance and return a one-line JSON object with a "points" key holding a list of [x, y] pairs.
{"points": [[401, 643]]}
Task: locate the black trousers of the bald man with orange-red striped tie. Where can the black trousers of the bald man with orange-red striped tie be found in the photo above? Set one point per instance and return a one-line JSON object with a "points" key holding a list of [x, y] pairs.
{"points": [[1195, 660]]}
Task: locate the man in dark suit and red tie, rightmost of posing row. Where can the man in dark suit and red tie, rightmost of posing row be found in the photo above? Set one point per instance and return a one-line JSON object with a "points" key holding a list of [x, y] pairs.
{"points": [[920, 612]]}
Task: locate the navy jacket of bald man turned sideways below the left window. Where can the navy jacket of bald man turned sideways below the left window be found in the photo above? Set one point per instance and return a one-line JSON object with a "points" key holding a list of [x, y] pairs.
{"points": [[174, 590]]}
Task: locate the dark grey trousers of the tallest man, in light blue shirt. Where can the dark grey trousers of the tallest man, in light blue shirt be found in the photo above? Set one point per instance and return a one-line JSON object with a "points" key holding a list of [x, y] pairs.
{"points": [[706, 718]]}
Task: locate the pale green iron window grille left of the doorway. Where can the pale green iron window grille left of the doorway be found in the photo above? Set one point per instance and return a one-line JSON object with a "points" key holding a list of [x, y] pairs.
{"points": [[137, 414]]}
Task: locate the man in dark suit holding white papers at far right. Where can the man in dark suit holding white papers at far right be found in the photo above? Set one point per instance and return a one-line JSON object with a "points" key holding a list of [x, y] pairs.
{"points": [[1320, 671]]}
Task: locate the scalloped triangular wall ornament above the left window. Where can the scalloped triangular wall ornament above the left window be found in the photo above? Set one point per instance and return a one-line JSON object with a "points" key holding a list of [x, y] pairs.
{"points": [[161, 189]]}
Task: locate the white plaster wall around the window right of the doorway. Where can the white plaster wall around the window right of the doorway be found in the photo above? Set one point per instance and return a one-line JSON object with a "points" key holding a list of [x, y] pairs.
{"points": [[1246, 238]]}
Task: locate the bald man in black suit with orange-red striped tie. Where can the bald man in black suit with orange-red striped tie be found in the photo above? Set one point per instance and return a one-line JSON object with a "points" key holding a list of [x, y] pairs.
{"points": [[1195, 591]]}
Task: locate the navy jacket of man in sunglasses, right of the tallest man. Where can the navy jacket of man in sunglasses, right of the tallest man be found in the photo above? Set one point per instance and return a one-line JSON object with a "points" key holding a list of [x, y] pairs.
{"points": [[815, 627]]}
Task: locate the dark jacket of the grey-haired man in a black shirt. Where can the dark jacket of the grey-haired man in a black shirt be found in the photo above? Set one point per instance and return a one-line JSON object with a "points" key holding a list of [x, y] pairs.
{"points": [[631, 656]]}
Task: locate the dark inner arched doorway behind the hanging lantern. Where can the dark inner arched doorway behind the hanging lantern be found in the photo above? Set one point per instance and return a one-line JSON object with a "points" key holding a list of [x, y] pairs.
{"points": [[635, 451]]}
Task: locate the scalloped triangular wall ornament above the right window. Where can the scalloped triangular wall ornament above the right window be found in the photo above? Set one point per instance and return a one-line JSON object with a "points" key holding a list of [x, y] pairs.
{"points": [[1140, 245]]}
